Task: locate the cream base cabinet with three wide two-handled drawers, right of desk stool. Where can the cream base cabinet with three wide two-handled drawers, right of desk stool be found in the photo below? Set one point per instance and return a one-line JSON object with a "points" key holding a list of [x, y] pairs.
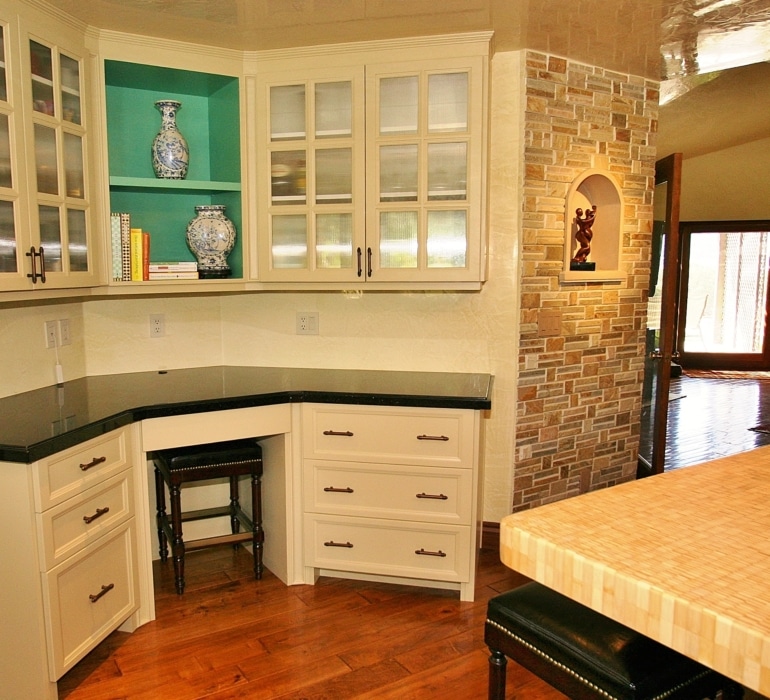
{"points": [[391, 493]]}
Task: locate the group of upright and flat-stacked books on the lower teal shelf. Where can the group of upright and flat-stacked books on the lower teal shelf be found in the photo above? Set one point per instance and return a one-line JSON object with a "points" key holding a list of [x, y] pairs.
{"points": [[131, 255]]}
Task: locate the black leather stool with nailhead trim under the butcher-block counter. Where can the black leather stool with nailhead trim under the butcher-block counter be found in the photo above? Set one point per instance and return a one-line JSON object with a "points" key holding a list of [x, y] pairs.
{"points": [[586, 655]]}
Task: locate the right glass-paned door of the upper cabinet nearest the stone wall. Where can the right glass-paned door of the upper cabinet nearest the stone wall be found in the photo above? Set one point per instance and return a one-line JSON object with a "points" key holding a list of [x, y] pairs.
{"points": [[425, 165]]}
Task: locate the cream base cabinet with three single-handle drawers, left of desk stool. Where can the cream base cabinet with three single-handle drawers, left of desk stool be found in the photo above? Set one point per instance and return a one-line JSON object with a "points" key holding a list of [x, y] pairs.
{"points": [[74, 574]]}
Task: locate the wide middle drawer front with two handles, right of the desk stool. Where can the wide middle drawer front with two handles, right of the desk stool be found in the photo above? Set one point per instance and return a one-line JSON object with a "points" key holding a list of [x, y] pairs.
{"points": [[430, 494]]}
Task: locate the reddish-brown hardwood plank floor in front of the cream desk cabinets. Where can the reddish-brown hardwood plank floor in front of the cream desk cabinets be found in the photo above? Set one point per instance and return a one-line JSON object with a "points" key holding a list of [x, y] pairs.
{"points": [[230, 636]]}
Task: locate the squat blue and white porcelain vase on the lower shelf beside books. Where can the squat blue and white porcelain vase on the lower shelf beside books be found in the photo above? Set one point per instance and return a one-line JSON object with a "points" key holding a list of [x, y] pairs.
{"points": [[211, 237]]}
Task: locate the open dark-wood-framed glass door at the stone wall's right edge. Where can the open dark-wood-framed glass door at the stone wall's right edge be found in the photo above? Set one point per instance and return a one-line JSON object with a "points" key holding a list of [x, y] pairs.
{"points": [[661, 316]]}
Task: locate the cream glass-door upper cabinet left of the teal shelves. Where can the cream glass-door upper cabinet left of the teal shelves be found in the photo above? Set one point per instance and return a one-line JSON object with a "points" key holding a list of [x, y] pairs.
{"points": [[47, 236]]}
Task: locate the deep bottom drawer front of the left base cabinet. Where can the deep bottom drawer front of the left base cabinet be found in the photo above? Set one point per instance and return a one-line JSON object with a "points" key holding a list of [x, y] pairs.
{"points": [[88, 596]]}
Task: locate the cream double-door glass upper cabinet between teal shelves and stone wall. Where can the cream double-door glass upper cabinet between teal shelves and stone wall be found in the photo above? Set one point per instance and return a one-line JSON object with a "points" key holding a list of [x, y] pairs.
{"points": [[370, 164]]}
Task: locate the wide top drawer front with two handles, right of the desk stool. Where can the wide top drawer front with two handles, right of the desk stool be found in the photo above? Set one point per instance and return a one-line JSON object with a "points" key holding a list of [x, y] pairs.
{"points": [[440, 437]]}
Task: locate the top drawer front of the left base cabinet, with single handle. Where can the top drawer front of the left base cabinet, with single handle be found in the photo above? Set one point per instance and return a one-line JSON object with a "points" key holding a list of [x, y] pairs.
{"points": [[71, 471]]}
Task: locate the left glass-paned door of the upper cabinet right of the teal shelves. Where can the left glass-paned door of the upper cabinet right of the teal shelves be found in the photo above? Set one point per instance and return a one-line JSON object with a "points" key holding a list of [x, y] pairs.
{"points": [[311, 176]]}
